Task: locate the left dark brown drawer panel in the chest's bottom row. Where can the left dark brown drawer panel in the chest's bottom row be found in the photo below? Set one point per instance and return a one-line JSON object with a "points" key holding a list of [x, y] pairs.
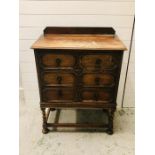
{"points": [[57, 94]]}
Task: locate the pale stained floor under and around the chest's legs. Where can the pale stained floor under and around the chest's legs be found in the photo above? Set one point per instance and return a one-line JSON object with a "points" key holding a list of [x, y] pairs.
{"points": [[68, 142]]}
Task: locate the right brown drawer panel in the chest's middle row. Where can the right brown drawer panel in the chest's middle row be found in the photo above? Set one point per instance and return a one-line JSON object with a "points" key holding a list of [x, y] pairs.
{"points": [[105, 79]]}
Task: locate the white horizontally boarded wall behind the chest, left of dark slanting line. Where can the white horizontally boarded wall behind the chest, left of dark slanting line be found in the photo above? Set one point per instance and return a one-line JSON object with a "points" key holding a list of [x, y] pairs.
{"points": [[36, 15]]}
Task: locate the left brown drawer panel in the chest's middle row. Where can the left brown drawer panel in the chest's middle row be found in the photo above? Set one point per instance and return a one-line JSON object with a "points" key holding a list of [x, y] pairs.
{"points": [[58, 78]]}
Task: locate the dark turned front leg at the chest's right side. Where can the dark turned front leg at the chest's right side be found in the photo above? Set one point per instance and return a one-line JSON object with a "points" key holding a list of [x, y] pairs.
{"points": [[110, 121]]}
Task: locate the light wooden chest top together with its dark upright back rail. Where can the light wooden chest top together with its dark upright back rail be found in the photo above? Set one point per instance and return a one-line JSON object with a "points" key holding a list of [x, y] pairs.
{"points": [[79, 38]]}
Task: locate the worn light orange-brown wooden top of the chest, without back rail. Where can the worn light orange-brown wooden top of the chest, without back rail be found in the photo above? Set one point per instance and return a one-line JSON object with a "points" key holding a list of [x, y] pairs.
{"points": [[85, 42]]}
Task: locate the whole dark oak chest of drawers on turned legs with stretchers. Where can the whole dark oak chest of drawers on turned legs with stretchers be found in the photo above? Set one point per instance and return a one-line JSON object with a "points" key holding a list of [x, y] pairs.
{"points": [[78, 68]]}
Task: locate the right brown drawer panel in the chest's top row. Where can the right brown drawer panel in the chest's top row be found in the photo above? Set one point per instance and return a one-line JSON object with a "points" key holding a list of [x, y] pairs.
{"points": [[104, 61]]}
